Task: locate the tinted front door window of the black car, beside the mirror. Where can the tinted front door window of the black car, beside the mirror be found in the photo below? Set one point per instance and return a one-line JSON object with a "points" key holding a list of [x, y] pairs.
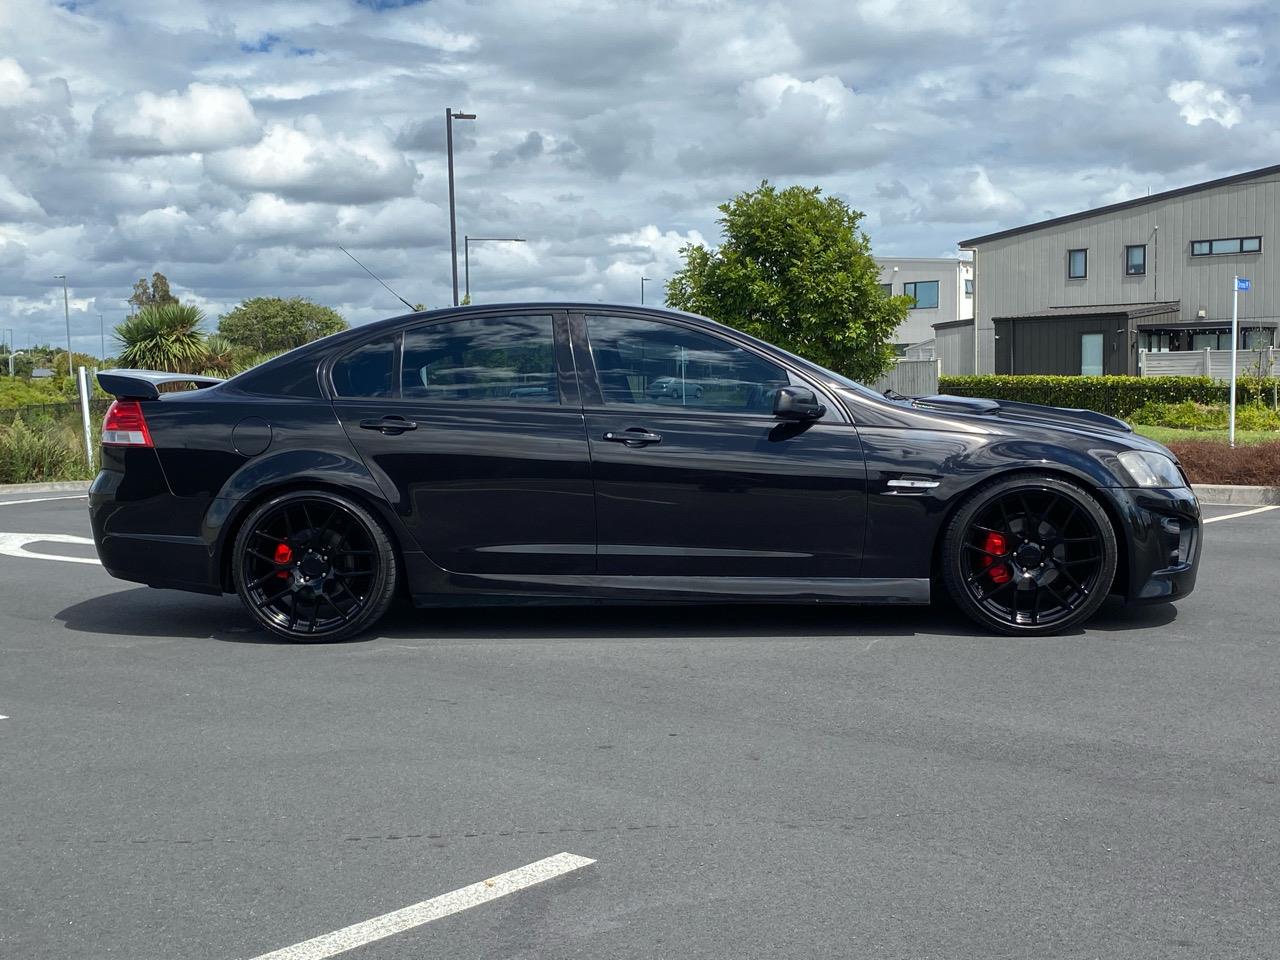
{"points": [[655, 364]]}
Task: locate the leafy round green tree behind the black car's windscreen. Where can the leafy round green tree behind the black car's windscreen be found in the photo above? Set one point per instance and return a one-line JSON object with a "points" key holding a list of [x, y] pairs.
{"points": [[796, 269]]}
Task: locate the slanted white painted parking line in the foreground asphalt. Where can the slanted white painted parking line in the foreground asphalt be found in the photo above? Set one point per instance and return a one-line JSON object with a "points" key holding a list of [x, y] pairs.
{"points": [[410, 917]]}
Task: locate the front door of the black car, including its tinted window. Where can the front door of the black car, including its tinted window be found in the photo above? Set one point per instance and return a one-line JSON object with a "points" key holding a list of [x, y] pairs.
{"points": [[694, 477]]}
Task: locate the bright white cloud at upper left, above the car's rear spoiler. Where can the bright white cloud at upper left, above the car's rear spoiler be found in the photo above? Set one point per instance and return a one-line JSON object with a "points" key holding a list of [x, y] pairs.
{"points": [[199, 120]]}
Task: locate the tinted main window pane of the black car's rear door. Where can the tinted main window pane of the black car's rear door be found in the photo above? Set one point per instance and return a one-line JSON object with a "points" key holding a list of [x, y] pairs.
{"points": [[482, 360]]}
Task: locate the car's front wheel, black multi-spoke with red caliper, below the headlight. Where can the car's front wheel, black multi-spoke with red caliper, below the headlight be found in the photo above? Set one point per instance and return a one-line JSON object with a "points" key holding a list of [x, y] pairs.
{"points": [[1030, 555]]}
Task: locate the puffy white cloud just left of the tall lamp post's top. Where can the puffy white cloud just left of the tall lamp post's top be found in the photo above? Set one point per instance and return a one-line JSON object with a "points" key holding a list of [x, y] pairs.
{"points": [[304, 162]]}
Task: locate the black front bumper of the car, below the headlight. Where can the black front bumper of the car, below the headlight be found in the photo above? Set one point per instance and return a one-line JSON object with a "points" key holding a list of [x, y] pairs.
{"points": [[1164, 533]]}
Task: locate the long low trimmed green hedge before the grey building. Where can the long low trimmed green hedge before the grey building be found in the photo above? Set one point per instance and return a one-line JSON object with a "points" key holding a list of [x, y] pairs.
{"points": [[1116, 396]]}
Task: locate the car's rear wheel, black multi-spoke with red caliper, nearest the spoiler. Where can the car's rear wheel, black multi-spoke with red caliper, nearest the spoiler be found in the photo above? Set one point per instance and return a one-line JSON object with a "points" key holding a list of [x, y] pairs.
{"points": [[314, 566]]}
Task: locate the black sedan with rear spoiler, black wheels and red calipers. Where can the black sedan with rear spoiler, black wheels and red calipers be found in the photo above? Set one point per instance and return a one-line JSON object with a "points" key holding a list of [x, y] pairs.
{"points": [[522, 452]]}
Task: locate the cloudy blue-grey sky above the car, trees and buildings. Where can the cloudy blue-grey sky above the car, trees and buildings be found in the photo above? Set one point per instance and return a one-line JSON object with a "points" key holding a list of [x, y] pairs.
{"points": [[235, 144]]}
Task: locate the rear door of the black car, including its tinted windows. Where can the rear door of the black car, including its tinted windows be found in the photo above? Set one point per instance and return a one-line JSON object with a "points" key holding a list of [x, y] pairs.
{"points": [[474, 431]]}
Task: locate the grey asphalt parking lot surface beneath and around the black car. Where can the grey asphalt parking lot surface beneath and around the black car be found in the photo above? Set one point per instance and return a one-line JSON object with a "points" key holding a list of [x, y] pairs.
{"points": [[748, 783]]}
